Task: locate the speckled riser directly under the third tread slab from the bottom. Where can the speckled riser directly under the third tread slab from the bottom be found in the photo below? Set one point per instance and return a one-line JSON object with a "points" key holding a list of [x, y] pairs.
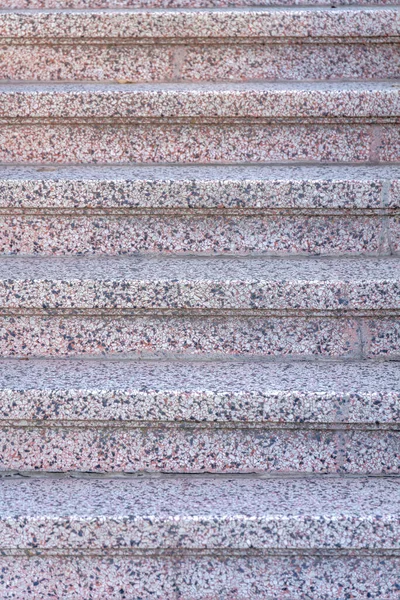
{"points": [[219, 336]]}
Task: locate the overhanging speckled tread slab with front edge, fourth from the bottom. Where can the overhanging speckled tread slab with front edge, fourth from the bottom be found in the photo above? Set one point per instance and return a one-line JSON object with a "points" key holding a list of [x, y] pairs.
{"points": [[200, 187]]}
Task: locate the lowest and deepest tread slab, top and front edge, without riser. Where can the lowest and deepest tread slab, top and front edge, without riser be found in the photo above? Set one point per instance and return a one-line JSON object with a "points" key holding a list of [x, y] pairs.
{"points": [[190, 512]]}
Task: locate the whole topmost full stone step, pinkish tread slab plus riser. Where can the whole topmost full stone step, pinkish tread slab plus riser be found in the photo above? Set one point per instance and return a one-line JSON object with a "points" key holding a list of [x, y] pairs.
{"points": [[235, 45]]}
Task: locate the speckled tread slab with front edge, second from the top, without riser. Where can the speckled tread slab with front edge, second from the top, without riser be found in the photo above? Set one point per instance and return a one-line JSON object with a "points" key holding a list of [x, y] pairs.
{"points": [[276, 101]]}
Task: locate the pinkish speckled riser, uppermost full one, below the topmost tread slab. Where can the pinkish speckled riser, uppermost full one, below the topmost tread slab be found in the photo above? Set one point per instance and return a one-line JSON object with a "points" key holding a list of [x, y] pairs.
{"points": [[137, 64]]}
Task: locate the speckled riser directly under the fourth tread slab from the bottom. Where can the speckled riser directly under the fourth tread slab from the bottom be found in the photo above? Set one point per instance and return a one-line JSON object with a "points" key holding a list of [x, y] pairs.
{"points": [[207, 235]]}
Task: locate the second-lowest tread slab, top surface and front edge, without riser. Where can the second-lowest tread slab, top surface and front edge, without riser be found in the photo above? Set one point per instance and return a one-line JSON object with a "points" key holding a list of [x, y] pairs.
{"points": [[280, 394]]}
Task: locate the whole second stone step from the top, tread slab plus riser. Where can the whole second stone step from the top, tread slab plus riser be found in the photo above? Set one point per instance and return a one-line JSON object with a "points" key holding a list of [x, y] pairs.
{"points": [[183, 123]]}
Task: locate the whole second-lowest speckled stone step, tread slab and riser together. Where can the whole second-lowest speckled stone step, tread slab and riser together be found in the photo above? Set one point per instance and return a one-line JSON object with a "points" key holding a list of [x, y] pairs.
{"points": [[180, 416]]}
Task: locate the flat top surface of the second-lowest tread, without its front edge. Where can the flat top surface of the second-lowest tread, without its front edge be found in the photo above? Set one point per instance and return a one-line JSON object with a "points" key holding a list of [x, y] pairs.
{"points": [[362, 377]]}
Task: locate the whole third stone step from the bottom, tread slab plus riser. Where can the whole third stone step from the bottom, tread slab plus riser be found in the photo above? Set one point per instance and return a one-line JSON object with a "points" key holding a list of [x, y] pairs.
{"points": [[159, 306]]}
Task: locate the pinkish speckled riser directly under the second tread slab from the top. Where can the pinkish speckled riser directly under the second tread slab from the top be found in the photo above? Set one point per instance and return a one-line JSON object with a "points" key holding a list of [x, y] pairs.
{"points": [[198, 144]]}
